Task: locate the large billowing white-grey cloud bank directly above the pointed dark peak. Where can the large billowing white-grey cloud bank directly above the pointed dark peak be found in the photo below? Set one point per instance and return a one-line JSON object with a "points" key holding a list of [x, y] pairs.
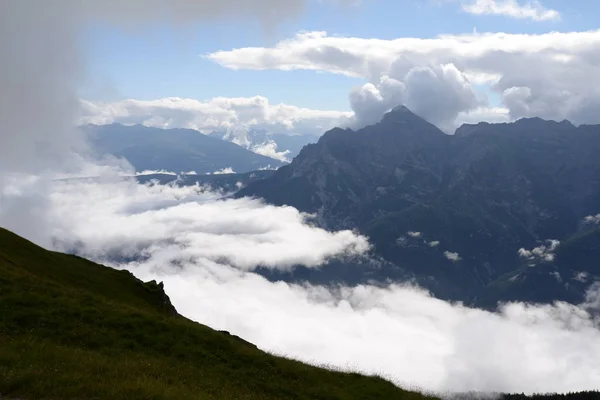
{"points": [[449, 68]]}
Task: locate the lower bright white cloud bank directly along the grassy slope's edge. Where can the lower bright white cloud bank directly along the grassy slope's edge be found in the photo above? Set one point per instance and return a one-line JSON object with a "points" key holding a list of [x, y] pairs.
{"points": [[400, 332]]}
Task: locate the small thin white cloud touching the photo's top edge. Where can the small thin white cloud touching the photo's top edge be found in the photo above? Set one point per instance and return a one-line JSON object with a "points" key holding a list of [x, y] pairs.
{"points": [[532, 9]]}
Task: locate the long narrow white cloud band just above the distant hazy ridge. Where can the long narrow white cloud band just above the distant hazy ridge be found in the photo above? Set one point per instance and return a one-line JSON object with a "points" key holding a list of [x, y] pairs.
{"points": [[234, 115]]}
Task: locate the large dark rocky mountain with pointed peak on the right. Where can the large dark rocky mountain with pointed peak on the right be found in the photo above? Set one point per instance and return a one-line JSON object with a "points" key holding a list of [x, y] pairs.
{"points": [[452, 210]]}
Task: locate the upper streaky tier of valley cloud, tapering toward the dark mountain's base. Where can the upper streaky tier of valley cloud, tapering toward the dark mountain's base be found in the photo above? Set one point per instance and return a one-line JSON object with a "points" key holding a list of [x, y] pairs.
{"points": [[242, 233]]}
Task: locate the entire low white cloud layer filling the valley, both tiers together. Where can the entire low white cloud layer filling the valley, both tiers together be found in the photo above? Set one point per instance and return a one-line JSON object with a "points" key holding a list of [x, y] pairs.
{"points": [[204, 249]]}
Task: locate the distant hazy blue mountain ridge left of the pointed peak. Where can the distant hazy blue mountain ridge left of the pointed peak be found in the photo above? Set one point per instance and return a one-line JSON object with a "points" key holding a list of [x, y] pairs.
{"points": [[176, 150]]}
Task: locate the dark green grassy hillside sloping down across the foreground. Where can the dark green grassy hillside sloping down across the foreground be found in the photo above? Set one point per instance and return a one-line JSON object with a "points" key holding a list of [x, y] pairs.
{"points": [[72, 329]]}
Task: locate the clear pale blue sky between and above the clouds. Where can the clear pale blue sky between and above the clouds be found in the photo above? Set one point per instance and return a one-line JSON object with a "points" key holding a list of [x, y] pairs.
{"points": [[161, 61]]}
